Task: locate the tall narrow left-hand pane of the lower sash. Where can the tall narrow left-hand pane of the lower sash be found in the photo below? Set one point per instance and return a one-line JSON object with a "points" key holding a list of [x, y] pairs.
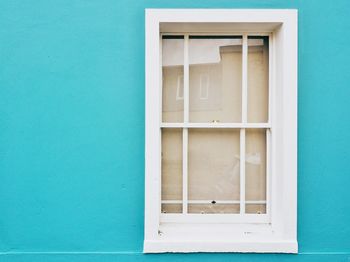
{"points": [[171, 164]]}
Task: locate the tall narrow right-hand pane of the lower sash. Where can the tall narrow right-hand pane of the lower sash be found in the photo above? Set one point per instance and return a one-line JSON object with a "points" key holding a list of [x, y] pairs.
{"points": [[255, 169]]}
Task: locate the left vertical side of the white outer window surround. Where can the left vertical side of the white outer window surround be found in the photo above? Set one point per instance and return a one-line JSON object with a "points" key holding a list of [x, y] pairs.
{"points": [[152, 132]]}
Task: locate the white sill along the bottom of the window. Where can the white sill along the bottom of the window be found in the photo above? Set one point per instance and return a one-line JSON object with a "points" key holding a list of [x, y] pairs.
{"points": [[245, 238]]}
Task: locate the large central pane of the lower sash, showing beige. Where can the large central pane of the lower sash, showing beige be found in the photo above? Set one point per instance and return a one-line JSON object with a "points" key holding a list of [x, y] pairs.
{"points": [[213, 166]]}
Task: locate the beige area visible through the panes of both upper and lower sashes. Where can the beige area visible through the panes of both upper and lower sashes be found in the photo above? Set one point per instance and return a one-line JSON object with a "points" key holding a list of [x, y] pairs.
{"points": [[213, 156]]}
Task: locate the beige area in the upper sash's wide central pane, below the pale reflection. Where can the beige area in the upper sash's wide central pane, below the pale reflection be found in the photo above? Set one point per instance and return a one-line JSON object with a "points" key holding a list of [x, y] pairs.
{"points": [[224, 101]]}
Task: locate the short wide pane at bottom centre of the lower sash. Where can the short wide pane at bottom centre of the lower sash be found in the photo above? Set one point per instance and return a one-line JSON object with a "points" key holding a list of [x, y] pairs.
{"points": [[213, 208]]}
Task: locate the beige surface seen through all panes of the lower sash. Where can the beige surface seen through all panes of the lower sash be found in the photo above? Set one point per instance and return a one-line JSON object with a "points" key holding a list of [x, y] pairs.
{"points": [[214, 169]]}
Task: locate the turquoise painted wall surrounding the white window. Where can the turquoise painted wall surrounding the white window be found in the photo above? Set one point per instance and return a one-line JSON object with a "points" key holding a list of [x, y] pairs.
{"points": [[72, 130]]}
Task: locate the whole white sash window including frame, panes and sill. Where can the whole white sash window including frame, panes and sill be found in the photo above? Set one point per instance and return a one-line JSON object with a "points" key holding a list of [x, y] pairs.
{"points": [[221, 105]]}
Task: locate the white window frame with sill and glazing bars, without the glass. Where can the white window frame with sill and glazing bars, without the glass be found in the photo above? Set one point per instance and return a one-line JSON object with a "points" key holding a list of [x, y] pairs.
{"points": [[277, 231]]}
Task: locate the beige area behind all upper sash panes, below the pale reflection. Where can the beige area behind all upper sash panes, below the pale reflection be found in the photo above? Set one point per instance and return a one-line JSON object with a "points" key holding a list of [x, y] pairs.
{"points": [[224, 95]]}
